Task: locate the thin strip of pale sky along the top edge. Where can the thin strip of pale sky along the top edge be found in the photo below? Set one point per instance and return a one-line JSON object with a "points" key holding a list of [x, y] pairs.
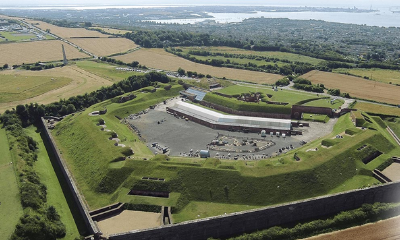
{"points": [[330, 3]]}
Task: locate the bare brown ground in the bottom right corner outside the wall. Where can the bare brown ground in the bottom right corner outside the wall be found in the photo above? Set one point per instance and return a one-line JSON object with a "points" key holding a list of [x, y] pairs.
{"points": [[388, 229]]}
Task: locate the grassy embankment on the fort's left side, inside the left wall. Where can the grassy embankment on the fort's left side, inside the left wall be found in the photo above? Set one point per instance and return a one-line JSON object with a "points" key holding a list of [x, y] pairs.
{"points": [[94, 157]]}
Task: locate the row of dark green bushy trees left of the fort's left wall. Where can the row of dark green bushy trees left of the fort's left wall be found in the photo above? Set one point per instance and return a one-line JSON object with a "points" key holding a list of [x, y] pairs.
{"points": [[40, 220]]}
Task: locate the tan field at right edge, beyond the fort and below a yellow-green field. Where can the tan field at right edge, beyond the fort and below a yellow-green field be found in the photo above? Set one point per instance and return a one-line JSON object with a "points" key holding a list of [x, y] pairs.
{"points": [[356, 87]]}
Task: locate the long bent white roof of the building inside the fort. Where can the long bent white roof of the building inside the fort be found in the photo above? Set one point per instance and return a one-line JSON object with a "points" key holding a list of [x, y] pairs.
{"points": [[234, 120]]}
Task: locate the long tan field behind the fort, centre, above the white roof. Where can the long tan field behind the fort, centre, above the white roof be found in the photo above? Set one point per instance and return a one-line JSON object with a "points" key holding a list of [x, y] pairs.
{"points": [[160, 59]]}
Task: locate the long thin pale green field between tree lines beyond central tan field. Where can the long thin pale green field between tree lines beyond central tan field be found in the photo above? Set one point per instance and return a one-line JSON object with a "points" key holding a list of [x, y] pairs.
{"points": [[279, 55]]}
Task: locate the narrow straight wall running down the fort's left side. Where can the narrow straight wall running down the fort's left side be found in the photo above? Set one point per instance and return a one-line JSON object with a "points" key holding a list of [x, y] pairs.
{"points": [[78, 198]]}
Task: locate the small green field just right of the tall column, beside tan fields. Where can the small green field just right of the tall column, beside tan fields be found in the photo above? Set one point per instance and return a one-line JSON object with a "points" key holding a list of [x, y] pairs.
{"points": [[104, 70]]}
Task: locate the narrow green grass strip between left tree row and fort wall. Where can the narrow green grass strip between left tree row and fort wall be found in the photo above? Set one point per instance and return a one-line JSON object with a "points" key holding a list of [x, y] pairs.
{"points": [[55, 195]]}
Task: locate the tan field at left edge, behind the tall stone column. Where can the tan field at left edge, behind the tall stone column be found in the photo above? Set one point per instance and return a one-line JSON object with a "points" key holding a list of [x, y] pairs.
{"points": [[31, 52]]}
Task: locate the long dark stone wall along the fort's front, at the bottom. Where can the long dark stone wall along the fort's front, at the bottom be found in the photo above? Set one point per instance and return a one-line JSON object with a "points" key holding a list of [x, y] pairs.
{"points": [[249, 221]]}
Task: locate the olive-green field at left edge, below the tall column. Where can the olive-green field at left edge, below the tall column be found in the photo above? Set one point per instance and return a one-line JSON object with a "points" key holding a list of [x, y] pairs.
{"points": [[18, 87]]}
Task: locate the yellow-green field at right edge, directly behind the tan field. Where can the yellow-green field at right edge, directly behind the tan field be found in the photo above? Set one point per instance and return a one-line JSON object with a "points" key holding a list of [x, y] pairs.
{"points": [[375, 74]]}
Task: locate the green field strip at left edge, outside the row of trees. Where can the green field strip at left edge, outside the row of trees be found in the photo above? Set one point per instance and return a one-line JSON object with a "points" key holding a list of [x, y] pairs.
{"points": [[10, 207]]}
